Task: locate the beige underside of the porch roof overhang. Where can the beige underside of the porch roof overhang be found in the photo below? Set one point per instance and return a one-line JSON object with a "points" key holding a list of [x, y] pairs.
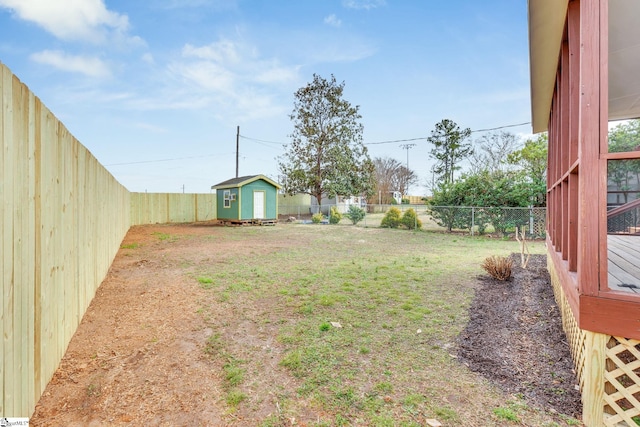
{"points": [[546, 26]]}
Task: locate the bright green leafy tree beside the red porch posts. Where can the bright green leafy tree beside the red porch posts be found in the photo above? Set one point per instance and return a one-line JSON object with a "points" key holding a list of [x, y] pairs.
{"points": [[532, 160]]}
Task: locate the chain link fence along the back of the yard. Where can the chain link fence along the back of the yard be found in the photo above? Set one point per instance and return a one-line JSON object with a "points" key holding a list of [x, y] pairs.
{"points": [[474, 220]]}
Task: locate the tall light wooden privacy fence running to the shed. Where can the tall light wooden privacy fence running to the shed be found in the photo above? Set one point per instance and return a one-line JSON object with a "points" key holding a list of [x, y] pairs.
{"points": [[62, 219]]}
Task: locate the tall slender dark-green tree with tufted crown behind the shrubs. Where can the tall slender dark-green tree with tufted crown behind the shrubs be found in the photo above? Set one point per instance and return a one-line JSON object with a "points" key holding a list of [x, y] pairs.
{"points": [[449, 149]]}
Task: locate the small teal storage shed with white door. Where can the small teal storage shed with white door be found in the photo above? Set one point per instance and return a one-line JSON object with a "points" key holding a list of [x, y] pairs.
{"points": [[247, 200]]}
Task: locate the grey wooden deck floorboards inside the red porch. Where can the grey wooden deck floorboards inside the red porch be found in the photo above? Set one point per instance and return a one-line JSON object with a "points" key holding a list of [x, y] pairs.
{"points": [[624, 263]]}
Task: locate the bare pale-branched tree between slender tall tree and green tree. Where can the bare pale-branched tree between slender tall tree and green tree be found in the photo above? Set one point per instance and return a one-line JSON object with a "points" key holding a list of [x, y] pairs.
{"points": [[492, 151]]}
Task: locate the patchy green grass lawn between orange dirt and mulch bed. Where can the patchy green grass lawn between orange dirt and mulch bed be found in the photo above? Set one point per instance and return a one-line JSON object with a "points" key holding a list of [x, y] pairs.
{"points": [[343, 325]]}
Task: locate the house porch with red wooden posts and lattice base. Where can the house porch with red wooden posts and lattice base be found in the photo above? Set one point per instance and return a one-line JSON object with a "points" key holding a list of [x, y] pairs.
{"points": [[585, 68]]}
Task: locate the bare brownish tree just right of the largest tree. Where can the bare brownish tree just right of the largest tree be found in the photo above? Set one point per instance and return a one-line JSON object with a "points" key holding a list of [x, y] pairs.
{"points": [[390, 175]]}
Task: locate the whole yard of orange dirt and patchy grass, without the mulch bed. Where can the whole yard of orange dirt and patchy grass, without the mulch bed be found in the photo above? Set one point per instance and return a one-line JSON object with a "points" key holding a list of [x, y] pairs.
{"points": [[305, 325]]}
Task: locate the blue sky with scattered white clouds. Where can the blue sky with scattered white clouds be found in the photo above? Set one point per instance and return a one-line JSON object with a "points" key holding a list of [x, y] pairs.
{"points": [[156, 89]]}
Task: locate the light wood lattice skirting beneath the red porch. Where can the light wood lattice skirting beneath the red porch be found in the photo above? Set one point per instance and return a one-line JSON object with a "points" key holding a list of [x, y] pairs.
{"points": [[607, 367]]}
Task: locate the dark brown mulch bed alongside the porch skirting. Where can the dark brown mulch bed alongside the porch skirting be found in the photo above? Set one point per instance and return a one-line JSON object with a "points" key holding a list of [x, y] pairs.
{"points": [[515, 338]]}
